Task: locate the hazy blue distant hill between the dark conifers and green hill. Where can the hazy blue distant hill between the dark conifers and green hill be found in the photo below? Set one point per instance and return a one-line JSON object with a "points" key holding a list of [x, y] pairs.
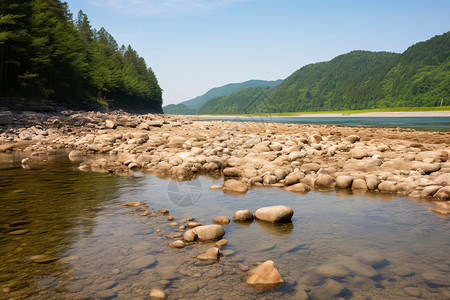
{"points": [[190, 107]]}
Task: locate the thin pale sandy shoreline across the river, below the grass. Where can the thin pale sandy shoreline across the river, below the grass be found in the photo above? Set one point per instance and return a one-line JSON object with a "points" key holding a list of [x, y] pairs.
{"points": [[336, 115]]}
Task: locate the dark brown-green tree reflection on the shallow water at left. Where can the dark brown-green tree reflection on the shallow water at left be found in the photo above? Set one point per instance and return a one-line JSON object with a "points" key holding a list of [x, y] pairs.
{"points": [[43, 213]]}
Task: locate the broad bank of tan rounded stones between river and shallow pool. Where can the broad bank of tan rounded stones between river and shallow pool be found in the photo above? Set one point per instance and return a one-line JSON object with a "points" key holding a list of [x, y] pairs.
{"points": [[295, 157]]}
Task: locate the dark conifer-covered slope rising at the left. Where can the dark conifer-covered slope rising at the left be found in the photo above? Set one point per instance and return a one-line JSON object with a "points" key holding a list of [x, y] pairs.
{"points": [[46, 54]]}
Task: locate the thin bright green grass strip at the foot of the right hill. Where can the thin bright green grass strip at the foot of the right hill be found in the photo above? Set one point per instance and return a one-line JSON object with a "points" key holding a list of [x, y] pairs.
{"points": [[387, 109]]}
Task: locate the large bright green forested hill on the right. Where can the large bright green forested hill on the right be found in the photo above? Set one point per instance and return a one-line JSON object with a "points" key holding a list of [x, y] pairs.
{"points": [[358, 80]]}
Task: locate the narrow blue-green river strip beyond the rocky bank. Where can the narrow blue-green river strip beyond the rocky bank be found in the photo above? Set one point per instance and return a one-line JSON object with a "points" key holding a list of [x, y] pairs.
{"points": [[419, 123]]}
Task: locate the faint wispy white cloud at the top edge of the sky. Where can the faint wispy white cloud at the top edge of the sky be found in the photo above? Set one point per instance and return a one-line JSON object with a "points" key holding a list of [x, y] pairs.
{"points": [[156, 7]]}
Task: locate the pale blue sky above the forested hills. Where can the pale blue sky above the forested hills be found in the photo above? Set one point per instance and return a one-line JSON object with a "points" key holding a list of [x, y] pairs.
{"points": [[195, 45]]}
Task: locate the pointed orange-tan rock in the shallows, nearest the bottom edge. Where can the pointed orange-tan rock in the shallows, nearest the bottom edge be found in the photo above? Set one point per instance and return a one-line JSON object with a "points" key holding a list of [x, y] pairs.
{"points": [[264, 276]]}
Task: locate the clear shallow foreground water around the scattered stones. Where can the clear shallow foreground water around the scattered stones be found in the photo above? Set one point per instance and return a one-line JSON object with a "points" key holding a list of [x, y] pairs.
{"points": [[91, 246]]}
